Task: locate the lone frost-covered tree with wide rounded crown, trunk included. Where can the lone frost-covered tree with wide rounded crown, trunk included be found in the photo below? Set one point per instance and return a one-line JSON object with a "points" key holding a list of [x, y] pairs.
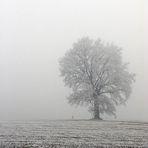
{"points": [[97, 76]]}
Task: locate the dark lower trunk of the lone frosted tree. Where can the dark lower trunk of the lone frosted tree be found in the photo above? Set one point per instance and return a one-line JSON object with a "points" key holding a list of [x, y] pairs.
{"points": [[96, 108]]}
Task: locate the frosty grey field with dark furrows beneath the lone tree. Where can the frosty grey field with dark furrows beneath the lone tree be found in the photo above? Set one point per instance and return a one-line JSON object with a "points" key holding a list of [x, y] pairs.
{"points": [[73, 134]]}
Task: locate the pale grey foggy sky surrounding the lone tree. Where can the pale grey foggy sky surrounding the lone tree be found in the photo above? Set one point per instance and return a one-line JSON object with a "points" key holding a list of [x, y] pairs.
{"points": [[34, 34]]}
